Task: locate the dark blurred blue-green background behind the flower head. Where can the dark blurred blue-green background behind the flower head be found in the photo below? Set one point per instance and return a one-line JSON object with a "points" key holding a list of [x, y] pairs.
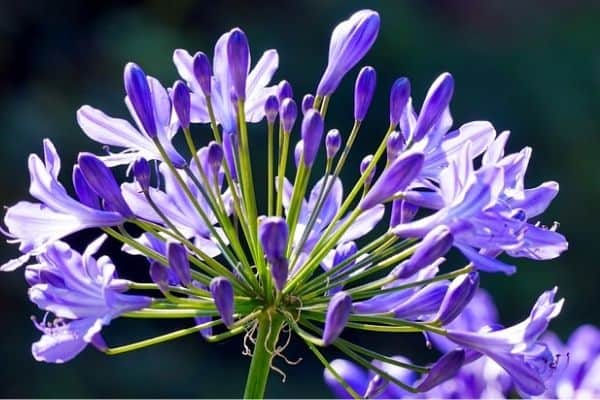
{"points": [[531, 67]]}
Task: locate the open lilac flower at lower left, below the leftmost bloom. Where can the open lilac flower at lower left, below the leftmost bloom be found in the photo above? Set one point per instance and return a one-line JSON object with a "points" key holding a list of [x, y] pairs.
{"points": [[83, 293]]}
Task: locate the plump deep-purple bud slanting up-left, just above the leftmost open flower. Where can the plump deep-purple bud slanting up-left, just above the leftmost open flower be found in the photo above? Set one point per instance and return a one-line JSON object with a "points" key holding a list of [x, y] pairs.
{"points": [[99, 177]]}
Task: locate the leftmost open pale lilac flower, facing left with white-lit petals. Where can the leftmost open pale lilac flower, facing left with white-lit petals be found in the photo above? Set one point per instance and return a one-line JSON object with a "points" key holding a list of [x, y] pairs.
{"points": [[35, 226]]}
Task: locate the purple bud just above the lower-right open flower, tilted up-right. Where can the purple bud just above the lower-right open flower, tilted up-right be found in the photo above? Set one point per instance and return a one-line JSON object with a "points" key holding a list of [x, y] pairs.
{"points": [[459, 294]]}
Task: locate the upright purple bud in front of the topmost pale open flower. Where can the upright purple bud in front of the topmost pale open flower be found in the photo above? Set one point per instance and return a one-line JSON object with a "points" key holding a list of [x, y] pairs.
{"points": [[238, 57]]}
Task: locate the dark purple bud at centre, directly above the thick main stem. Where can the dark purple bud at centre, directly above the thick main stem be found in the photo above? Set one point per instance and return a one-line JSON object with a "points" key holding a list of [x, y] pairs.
{"points": [[273, 234]]}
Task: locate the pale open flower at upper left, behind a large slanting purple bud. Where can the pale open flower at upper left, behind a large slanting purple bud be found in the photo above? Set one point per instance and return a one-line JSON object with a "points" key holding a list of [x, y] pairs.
{"points": [[136, 142]]}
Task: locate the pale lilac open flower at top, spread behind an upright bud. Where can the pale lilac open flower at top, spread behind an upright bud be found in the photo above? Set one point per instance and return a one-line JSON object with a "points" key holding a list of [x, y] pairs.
{"points": [[256, 90]]}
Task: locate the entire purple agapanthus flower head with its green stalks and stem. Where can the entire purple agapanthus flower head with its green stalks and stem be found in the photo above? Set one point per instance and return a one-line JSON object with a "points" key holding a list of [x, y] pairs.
{"points": [[306, 262]]}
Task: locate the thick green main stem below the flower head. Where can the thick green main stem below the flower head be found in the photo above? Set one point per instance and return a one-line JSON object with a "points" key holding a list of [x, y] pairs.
{"points": [[269, 326]]}
